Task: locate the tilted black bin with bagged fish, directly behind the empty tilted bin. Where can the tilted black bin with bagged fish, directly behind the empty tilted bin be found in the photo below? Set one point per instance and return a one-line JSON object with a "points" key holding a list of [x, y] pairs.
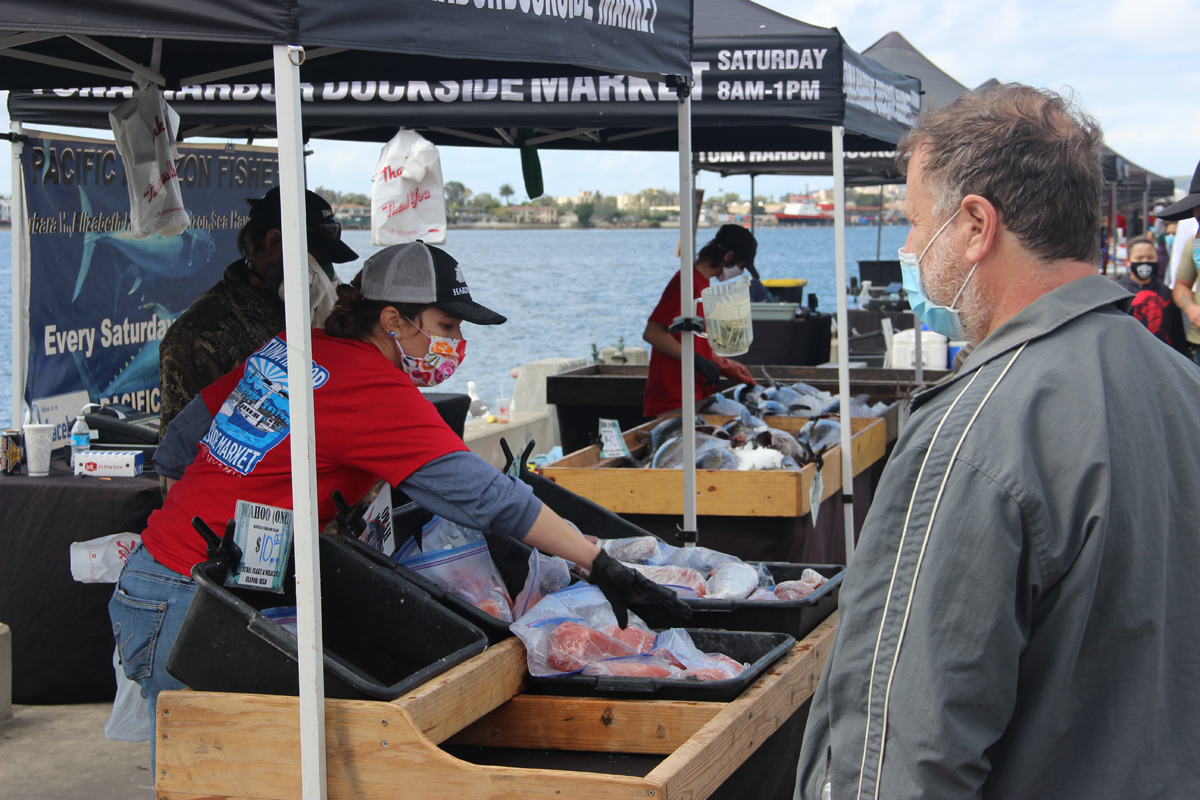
{"points": [[512, 558]]}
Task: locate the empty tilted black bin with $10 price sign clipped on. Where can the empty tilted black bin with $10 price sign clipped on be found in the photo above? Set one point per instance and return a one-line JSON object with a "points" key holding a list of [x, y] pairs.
{"points": [[382, 635]]}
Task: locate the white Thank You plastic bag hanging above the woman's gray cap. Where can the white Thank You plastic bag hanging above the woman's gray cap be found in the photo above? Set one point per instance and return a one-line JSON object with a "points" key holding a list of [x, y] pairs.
{"points": [[407, 200]]}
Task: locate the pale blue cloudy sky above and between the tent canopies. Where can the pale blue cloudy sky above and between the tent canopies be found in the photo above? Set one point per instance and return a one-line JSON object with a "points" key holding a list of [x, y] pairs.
{"points": [[1131, 64]]}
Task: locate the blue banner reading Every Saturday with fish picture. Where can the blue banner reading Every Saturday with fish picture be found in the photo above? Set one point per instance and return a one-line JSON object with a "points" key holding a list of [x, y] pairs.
{"points": [[100, 300]]}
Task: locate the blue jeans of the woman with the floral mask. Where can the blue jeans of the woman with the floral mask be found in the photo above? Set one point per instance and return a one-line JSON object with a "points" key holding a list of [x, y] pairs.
{"points": [[148, 609]]}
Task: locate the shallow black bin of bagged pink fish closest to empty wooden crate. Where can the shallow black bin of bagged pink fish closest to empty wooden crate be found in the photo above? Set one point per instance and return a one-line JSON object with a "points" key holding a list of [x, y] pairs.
{"points": [[760, 651]]}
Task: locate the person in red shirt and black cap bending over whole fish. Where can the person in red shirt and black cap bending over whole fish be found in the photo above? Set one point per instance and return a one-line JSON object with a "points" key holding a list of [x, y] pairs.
{"points": [[733, 250]]}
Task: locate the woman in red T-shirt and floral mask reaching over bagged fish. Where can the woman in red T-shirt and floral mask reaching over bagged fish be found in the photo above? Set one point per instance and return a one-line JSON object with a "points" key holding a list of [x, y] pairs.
{"points": [[395, 328]]}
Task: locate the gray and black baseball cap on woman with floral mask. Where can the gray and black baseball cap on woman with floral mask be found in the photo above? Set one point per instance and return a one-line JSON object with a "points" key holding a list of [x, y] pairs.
{"points": [[421, 274]]}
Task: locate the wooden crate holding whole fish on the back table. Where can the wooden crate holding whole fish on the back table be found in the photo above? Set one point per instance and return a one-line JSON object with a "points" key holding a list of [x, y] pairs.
{"points": [[722, 494]]}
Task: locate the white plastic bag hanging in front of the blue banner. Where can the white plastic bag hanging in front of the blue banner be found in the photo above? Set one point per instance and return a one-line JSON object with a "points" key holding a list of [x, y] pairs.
{"points": [[146, 129]]}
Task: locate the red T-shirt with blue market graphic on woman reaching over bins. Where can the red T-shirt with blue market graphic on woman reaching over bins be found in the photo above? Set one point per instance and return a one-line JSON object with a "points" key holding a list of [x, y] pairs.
{"points": [[370, 423]]}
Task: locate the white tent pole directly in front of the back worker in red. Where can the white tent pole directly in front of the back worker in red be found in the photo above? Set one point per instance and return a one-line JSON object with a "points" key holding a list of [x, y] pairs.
{"points": [[687, 234]]}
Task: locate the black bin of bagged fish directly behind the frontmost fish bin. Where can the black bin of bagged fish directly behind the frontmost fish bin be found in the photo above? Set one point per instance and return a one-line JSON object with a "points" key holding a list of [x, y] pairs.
{"points": [[796, 618]]}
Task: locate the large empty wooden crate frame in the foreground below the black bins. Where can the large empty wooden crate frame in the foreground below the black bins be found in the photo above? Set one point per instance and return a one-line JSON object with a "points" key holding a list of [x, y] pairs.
{"points": [[248, 747]]}
